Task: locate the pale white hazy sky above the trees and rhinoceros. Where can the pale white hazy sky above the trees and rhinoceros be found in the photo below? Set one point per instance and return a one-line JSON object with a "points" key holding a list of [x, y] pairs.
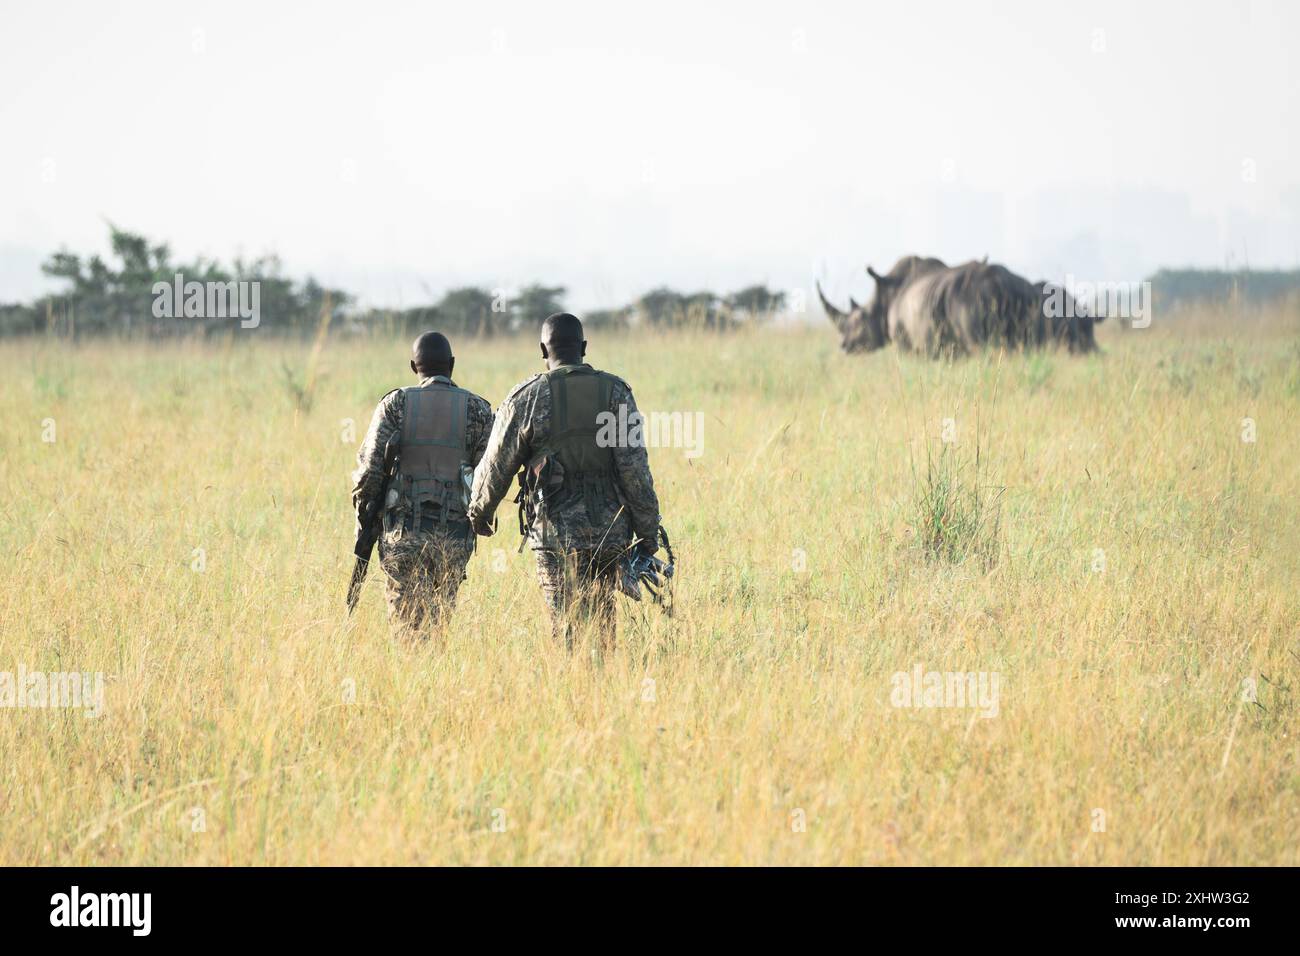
{"points": [[402, 149]]}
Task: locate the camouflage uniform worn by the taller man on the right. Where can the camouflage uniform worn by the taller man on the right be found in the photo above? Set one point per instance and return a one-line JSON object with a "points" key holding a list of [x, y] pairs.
{"points": [[586, 521]]}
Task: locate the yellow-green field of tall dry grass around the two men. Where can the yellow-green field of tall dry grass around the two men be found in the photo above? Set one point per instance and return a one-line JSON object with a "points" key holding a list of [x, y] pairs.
{"points": [[177, 518]]}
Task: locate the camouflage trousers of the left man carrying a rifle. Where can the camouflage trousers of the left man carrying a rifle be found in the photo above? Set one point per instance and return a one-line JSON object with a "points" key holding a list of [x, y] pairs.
{"points": [[423, 572]]}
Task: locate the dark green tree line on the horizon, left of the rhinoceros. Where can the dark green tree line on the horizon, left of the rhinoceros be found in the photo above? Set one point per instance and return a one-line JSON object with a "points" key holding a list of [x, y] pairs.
{"points": [[116, 296]]}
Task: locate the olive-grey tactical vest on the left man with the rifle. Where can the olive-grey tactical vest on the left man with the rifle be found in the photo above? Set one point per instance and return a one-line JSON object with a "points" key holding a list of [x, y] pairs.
{"points": [[435, 458]]}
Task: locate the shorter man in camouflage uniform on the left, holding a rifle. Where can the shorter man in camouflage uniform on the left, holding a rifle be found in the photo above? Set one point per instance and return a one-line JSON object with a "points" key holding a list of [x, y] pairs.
{"points": [[427, 542]]}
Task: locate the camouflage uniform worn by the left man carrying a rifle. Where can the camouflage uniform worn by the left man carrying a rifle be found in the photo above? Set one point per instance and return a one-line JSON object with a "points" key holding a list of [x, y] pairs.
{"points": [[424, 551]]}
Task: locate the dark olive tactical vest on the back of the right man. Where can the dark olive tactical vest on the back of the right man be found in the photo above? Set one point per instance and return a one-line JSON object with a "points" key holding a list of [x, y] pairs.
{"points": [[579, 395]]}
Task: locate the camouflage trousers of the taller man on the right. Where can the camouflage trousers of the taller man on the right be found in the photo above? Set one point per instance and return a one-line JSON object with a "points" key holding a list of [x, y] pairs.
{"points": [[579, 589]]}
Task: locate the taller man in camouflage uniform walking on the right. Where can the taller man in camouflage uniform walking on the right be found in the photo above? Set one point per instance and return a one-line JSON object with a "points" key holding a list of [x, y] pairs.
{"points": [[587, 496]]}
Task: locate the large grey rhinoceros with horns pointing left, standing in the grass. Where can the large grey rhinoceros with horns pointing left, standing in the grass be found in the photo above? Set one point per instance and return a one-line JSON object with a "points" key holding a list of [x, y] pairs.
{"points": [[925, 306]]}
